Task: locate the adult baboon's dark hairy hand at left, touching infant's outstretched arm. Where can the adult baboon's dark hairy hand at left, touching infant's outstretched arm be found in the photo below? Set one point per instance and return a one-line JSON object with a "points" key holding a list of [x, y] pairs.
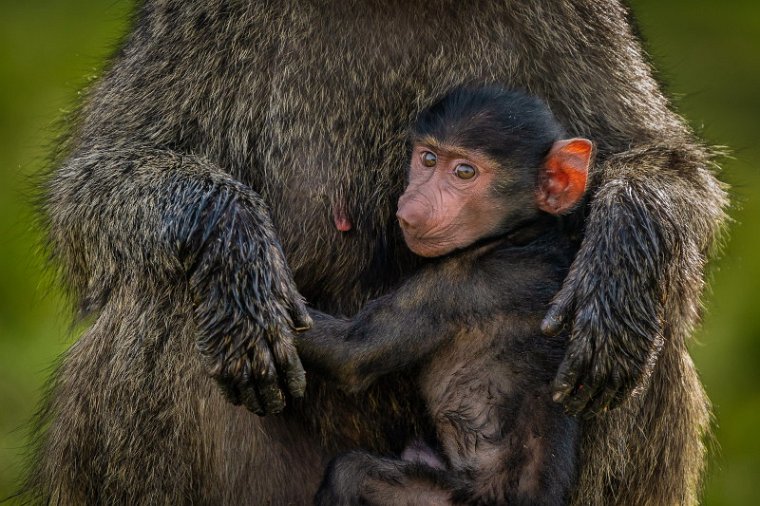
{"points": [[248, 308]]}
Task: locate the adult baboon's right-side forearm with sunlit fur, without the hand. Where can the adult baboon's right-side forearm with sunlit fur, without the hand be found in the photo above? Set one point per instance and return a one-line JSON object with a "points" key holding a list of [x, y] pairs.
{"points": [[675, 208]]}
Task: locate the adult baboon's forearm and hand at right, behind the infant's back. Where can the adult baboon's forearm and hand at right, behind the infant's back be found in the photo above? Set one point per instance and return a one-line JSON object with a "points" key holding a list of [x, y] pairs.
{"points": [[640, 269]]}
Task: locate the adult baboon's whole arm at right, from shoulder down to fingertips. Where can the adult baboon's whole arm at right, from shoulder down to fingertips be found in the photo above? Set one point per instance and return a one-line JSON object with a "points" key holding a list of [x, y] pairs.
{"points": [[656, 206]]}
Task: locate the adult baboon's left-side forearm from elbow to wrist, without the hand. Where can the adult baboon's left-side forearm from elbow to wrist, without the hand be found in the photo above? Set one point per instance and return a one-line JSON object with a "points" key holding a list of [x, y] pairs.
{"points": [[119, 215]]}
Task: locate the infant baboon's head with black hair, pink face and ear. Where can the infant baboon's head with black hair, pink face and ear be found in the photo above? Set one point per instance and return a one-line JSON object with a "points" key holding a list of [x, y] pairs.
{"points": [[485, 160]]}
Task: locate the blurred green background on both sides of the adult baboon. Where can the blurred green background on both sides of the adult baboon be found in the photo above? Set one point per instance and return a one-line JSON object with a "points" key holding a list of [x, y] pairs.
{"points": [[706, 52]]}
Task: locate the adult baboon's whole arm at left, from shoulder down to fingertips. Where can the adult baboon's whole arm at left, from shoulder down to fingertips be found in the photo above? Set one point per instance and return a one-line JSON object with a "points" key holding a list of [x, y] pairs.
{"points": [[149, 190]]}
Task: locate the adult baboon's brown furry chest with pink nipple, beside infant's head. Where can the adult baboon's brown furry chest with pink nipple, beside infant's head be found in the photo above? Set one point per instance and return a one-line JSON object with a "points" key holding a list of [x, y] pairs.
{"points": [[345, 86]]}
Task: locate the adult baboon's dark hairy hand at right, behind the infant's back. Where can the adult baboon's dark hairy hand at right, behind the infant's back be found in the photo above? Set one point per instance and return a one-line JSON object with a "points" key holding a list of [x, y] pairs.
{"points": [[611, 306]]}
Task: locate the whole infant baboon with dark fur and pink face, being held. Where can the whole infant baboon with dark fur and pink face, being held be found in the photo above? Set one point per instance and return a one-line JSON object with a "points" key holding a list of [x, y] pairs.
{"points": [[490, 172]]}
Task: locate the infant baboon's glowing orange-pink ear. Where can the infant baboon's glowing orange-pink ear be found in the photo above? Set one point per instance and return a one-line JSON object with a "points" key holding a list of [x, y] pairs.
{"points": [[562, 181]]}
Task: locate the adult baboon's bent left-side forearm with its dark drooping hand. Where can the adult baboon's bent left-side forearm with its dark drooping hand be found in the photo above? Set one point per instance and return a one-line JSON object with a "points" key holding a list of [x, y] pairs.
{"points": [[142, 216]]}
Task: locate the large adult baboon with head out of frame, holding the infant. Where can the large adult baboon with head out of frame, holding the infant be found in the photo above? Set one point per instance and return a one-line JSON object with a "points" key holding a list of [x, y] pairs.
{"points": [[238, 152]]}
